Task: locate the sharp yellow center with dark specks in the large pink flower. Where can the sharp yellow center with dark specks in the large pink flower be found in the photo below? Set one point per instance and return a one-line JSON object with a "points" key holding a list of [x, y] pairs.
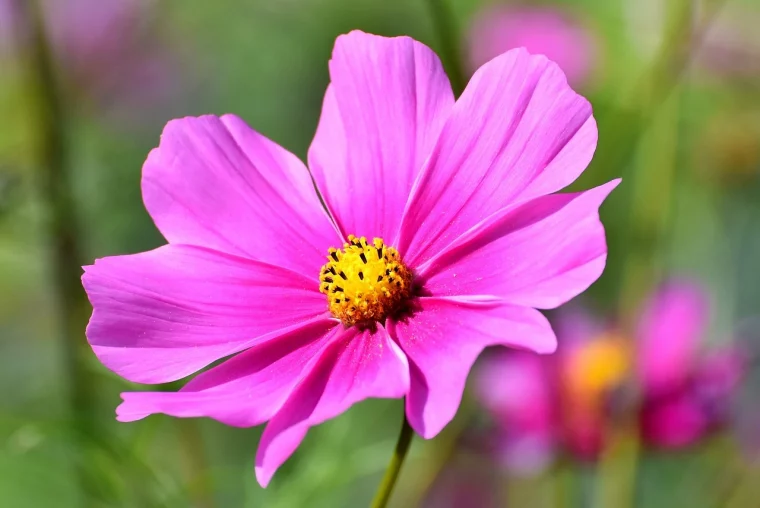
{"points": [[364, 282]]}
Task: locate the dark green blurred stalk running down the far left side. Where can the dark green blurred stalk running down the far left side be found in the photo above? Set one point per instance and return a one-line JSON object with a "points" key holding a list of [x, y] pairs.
{"points": [[54, 188]]}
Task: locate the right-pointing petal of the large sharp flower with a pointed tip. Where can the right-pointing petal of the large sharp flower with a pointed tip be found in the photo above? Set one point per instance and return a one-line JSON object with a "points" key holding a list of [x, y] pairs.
{"points": [[539, 254]]}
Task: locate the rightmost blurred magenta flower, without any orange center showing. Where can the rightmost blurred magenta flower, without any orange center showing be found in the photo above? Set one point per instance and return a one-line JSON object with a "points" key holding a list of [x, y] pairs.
{"points": [[686, 391]]}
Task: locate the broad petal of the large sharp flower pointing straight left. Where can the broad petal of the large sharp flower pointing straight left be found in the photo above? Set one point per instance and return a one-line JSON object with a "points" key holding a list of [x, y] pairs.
{"points": [[161, 315]]}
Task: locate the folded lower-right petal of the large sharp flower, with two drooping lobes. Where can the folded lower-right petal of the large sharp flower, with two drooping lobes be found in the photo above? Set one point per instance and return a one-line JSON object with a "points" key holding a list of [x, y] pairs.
{"points": [[442, 341]]}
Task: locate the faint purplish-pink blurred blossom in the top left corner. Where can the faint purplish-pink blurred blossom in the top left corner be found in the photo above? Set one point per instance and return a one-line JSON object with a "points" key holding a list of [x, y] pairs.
{"points": [[107, 51]]}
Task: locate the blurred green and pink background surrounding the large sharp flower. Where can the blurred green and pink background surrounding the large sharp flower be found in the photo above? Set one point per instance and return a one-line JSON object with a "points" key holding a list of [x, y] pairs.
{"points": [[652, 398]]}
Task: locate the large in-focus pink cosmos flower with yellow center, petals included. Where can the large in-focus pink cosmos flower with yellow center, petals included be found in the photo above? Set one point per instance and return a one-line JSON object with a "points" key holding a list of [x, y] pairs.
{"points": [[459, 239]]}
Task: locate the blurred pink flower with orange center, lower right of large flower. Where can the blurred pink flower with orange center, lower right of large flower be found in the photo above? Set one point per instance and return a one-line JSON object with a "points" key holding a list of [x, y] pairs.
{"points": [[559, 401]]}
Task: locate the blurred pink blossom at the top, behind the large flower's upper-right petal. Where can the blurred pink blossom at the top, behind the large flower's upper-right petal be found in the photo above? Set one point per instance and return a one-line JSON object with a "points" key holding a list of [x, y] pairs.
{"points": [[540, 30]]}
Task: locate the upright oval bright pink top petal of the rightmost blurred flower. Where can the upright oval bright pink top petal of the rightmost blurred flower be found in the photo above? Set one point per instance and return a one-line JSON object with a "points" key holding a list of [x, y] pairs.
{"points": [[669, 334]]}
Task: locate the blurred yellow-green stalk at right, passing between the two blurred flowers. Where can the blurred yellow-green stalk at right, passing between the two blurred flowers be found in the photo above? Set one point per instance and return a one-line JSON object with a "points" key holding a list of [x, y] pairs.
{"points": [[652, 184]]}
